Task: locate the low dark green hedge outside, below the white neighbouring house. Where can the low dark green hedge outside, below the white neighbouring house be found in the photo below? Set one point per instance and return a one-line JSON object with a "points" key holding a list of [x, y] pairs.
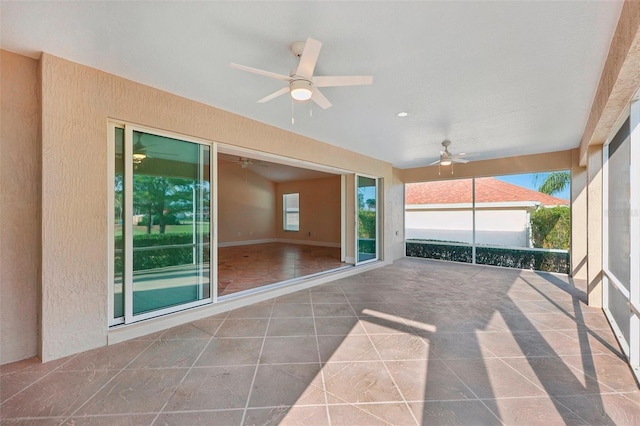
{"points": [[506, 257]]}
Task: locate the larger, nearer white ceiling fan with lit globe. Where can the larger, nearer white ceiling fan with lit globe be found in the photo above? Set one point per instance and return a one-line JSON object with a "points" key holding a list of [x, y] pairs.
{"points": [[303, 85]]}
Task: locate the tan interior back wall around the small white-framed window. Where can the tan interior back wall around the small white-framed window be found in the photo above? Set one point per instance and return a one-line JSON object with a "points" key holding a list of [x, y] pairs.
{"points": [[320, 211]]}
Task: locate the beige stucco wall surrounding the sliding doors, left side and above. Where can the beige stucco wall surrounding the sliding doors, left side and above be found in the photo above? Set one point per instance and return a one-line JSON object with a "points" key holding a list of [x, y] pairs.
{"points": [[77, 101]]}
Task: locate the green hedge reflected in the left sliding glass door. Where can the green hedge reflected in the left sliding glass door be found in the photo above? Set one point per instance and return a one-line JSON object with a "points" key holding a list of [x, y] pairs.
{"points": [[160, 258]]}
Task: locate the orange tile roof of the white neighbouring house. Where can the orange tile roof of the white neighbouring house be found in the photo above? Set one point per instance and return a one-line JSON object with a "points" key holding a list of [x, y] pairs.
{"points": [[488, 190]]}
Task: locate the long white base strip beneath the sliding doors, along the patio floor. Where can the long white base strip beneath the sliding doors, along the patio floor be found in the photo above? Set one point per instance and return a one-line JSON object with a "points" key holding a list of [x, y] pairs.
{"points": [[142, 328]]}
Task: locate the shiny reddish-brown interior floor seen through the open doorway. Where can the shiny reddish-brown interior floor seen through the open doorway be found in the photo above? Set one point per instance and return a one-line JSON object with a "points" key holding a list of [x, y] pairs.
{"points": [[250, 266]]}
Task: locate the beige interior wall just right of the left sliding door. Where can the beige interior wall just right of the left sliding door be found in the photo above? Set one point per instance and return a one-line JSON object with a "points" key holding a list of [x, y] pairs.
{"points": [[246, 206]]}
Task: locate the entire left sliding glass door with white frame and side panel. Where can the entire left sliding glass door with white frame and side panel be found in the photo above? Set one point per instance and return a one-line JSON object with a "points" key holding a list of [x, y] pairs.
{"points": [[161, 224]]}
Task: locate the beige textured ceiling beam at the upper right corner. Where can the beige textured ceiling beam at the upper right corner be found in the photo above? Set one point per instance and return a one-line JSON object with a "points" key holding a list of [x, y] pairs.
{"points": [[619, 80]]}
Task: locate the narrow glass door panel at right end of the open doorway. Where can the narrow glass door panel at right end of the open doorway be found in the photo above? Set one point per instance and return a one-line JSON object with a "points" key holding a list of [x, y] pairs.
{"points": [[367, 221]]}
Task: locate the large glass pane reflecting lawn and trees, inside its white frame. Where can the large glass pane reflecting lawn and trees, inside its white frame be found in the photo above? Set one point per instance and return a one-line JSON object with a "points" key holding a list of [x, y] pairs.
{"points": [[171, 200]]}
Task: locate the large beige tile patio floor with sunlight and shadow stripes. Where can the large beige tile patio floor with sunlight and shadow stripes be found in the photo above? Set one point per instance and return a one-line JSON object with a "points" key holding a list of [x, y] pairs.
{"points": [[419, 342]]}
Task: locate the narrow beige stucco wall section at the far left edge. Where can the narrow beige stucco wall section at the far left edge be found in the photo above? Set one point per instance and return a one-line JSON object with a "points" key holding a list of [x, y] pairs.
{"points": [[20, 155]]}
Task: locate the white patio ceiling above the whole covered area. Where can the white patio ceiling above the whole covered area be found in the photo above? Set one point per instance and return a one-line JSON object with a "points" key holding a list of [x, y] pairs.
{"points": [[497, 78]]}
